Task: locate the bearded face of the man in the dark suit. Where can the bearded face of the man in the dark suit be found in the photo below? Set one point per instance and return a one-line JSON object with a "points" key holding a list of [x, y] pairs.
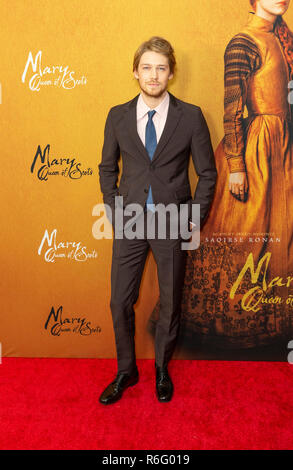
{"points": [[153, 73]]}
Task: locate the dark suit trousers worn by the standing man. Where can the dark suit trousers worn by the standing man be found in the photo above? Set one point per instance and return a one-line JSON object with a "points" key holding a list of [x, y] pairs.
{"points": [[128, 261]]}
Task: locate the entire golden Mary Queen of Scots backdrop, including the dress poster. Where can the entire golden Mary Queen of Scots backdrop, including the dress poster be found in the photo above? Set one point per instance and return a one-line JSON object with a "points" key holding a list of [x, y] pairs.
{"points": [[64, 64]]}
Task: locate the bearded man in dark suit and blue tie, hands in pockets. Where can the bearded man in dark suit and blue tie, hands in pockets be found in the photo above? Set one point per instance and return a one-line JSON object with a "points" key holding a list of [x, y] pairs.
{"points": [[155, 133]]}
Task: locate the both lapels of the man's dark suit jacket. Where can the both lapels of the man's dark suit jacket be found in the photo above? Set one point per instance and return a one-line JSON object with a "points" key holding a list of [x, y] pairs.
{"points": [[173, 117]]}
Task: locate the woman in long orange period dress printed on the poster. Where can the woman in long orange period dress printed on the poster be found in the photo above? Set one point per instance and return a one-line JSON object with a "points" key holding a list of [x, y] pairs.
{"points": [[252, 211]]}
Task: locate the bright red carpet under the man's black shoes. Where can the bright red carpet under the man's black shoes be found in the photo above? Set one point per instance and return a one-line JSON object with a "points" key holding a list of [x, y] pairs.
{"points": [[53, 404]]}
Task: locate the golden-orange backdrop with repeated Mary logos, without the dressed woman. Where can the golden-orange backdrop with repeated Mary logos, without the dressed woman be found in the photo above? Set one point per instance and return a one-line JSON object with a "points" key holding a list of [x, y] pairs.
{"points": [[64, 63]]}
